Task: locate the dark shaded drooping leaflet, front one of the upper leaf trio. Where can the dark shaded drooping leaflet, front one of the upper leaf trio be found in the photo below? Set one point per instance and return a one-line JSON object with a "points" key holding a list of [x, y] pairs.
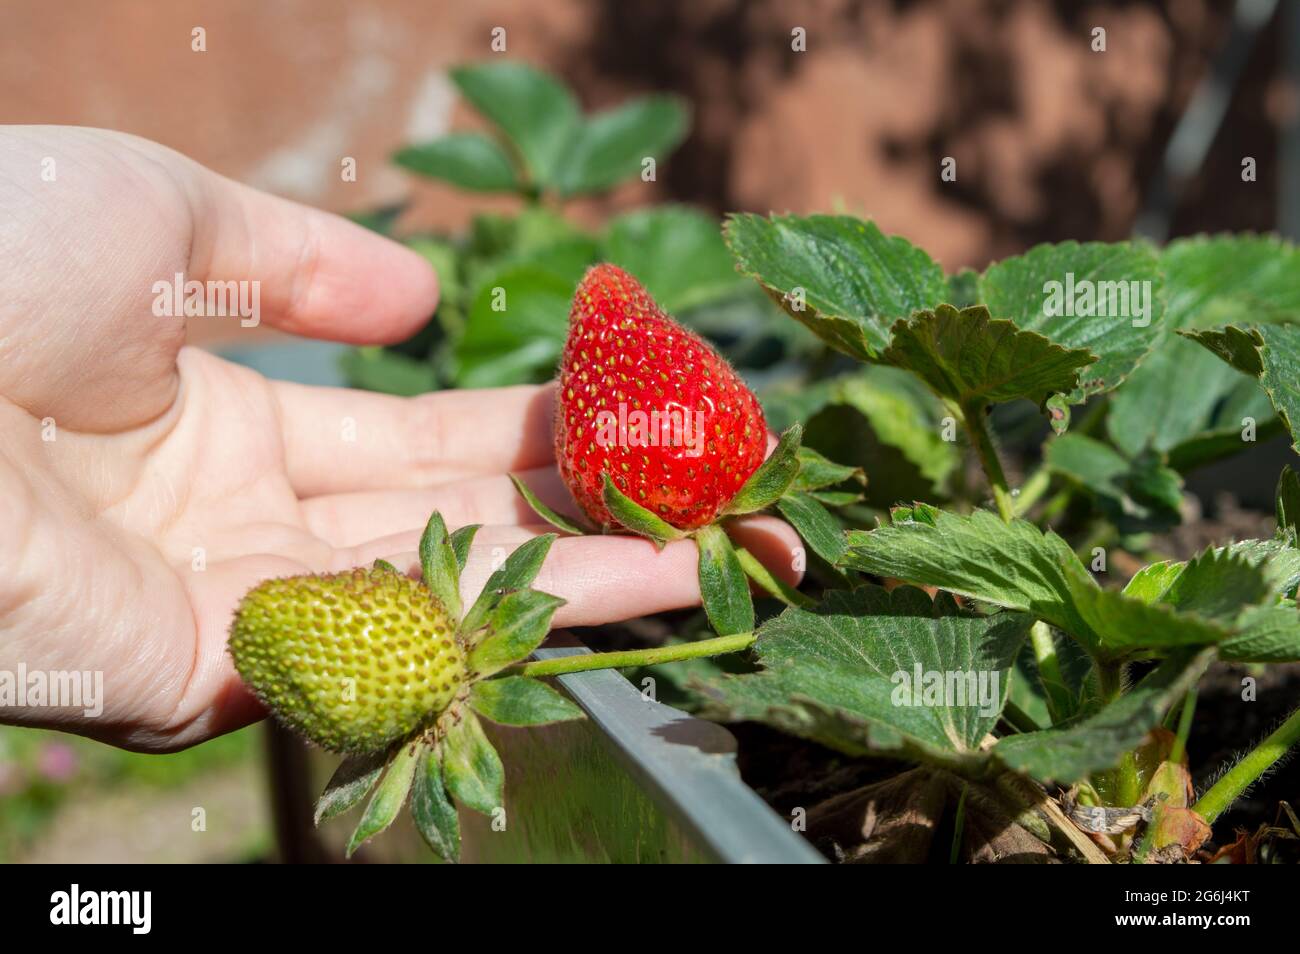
{"points": [[973, 359]]}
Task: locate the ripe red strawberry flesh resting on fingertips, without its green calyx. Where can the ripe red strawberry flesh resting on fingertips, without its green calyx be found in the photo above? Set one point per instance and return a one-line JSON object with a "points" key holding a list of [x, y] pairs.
{"points": [[652, 405]]}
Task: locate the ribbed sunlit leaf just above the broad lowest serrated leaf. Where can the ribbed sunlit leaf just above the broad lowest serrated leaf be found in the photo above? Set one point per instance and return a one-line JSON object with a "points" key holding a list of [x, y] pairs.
{"points": [[1011, 565]]}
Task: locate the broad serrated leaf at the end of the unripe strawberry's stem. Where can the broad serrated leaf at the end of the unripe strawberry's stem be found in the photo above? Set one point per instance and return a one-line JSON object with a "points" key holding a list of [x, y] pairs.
{"points": [[846, 674]]}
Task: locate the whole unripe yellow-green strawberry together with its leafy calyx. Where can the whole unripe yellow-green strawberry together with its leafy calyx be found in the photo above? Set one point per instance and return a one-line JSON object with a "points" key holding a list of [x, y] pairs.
{"points": [[421, 732]]}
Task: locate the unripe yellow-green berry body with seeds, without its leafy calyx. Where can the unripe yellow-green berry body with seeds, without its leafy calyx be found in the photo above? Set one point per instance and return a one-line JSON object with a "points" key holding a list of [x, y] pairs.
{"points": [[354, 661]]}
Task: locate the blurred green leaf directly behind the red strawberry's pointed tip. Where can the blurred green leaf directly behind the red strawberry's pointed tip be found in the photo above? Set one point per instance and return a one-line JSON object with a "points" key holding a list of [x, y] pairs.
{"points": [[677, 253]]}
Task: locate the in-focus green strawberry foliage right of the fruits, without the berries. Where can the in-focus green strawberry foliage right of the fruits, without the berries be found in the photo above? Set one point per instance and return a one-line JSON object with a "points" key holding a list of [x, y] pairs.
{"points": [[1061, 682]]}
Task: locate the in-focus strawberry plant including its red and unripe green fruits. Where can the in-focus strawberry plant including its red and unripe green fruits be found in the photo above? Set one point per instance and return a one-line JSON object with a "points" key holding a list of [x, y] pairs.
{"points": [[974, 643]]}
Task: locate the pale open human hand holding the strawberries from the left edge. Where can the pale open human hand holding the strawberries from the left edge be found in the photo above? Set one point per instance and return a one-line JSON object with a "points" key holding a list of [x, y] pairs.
{"points": [[166, 458]]}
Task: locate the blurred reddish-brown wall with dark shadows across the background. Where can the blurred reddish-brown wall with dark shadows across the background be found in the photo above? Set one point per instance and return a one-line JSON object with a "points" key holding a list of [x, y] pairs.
{"points": [[1052, 141]]}
